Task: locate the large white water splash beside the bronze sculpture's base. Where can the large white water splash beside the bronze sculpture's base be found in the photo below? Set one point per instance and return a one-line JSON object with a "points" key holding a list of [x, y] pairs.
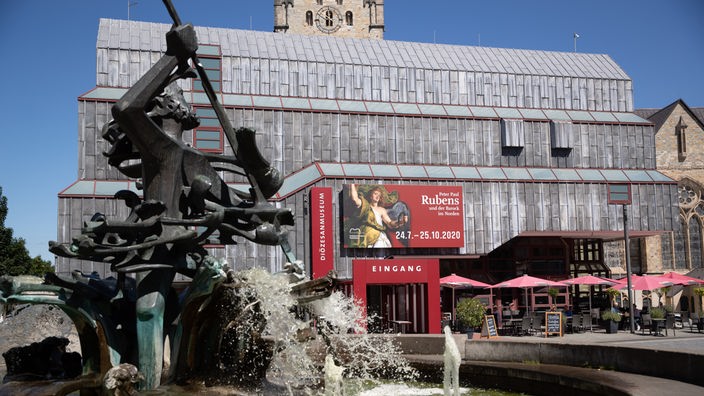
{"points": [[333, 326]]}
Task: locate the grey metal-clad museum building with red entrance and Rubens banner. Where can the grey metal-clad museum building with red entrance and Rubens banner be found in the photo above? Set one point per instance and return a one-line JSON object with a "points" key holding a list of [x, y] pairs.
{"points": [[403, 162]]}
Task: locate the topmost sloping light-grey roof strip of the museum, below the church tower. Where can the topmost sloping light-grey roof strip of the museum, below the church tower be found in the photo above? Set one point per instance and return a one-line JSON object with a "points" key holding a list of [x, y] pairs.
{"points": [[147, 36]]}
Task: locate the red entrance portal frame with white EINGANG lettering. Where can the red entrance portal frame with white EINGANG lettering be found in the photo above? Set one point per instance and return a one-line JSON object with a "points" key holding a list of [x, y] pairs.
{"points": [[401, 271]]}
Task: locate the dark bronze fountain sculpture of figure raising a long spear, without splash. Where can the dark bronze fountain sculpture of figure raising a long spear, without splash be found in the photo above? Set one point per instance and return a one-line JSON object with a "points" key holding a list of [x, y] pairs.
{"points": [[182, 190]]}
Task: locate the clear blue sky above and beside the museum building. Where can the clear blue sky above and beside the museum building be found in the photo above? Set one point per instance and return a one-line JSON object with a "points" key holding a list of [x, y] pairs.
{"points": [[49, 60]]}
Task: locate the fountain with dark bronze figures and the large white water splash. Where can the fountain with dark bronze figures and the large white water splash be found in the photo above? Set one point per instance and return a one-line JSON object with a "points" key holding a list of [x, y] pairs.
{"points": [[226, 328]]}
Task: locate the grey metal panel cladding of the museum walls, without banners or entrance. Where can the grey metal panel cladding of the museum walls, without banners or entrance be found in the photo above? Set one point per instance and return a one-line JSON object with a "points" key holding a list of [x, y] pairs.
{"points": [[388, 73]]}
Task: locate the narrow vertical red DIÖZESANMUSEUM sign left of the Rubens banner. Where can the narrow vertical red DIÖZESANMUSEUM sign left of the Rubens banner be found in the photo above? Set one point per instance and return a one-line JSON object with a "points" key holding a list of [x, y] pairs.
{"points": [[321, 224]]}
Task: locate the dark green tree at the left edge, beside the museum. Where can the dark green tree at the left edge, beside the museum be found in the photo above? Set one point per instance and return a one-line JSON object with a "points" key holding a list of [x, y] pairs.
{"points": [[14, 256]]}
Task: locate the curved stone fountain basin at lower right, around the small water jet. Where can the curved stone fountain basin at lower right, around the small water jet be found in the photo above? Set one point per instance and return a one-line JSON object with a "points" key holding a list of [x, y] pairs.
{"points": [[544, 368]]}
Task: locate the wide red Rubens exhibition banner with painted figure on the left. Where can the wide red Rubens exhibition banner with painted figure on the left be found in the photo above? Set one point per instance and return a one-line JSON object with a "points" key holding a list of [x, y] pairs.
{"points": [[388, 215]]}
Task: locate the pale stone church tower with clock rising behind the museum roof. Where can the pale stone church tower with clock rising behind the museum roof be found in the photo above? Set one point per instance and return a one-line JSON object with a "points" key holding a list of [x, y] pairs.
{"points": [[340, 18]]}
